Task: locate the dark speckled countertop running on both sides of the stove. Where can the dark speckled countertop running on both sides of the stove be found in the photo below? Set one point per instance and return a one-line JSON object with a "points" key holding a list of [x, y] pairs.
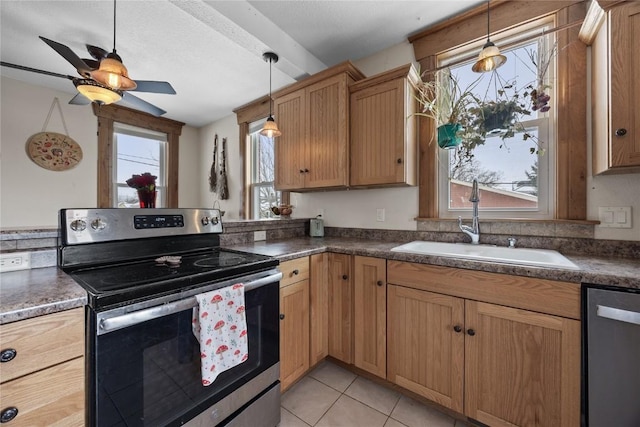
{"points": [[40, 291]]}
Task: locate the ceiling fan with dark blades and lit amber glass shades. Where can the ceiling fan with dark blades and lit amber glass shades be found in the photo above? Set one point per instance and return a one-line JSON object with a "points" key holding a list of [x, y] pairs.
{"points": [[103, 79]]}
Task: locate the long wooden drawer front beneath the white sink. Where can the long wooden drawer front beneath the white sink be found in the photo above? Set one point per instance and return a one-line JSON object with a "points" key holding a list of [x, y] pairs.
{"points": [[541, 295]]}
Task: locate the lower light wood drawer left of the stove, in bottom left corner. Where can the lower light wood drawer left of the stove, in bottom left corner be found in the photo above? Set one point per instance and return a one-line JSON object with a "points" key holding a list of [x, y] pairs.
{"points": [[51, 397]]}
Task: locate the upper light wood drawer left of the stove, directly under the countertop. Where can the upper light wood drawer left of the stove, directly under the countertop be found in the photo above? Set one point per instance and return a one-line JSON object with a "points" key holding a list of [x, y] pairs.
{"points": [[41, 342]]}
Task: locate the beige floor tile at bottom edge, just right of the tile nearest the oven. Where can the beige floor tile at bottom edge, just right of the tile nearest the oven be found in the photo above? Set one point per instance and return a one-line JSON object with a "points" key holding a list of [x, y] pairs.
{"points": [[348, 412]]}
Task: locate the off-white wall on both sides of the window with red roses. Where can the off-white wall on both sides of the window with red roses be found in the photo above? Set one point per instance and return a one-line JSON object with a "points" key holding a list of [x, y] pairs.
{"points": [[31, 196]]}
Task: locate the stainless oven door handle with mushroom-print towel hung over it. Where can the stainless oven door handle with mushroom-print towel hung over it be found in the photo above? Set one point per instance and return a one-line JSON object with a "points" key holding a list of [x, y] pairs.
{"points": [[130, 319]]}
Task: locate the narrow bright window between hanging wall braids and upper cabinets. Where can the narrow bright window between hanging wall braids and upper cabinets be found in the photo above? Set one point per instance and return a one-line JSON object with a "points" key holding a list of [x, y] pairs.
{"points": [[263, 193]]}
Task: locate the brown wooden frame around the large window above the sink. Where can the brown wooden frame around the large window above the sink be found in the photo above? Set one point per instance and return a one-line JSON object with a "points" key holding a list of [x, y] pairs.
{"points": [[571, 130]]}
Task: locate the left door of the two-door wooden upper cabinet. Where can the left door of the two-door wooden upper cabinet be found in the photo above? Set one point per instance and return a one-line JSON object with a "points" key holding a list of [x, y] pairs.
{"points": [[290, 148]]}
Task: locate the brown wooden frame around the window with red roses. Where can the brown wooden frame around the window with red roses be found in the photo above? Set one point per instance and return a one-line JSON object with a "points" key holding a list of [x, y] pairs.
{"points": [[107, 116]]}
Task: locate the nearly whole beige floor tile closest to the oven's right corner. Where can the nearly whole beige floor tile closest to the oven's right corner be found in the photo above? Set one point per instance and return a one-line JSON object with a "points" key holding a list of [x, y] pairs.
{"points": [[309, 399]]}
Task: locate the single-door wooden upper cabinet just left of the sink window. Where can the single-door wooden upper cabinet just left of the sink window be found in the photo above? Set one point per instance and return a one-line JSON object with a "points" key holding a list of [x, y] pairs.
{"points": [[383, 129]]}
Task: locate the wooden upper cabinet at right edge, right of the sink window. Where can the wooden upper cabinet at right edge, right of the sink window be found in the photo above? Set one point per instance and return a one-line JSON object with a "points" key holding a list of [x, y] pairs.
{"points": [[616, 90]]}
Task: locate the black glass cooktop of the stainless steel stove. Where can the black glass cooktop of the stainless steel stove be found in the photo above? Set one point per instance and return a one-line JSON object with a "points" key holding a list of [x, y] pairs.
{"points": [[122, 282]]}
